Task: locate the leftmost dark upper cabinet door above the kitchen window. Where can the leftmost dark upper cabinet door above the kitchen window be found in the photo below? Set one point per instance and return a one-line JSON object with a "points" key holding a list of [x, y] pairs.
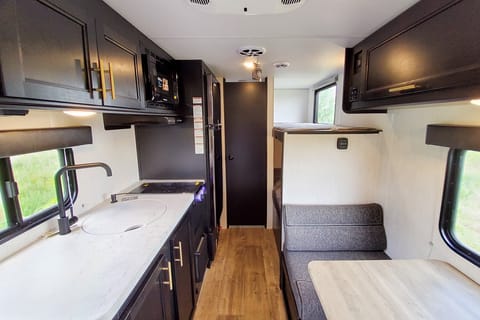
{"points": [[47, 49]]}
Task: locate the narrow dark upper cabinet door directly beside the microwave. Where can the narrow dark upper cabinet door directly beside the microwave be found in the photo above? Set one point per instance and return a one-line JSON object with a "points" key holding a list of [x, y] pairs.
{"points": [[119, 52]]}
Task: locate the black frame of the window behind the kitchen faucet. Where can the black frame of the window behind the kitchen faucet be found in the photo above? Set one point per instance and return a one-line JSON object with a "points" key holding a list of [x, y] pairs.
{"points": [[12, 208]]}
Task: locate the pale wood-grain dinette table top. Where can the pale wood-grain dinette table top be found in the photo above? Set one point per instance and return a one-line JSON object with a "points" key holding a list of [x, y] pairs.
{"points": [[394, 289]]}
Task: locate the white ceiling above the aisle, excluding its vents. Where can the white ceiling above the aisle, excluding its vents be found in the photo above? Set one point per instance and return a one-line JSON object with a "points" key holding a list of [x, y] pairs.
{"points": [[312, 38]]}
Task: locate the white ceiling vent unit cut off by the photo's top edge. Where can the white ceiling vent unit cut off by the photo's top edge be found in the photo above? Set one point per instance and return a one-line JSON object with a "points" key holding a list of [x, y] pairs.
{"points": [[246, 7]]}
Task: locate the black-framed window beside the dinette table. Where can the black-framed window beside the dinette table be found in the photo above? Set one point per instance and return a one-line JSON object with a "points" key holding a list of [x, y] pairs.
{"points": [[460, 217]]}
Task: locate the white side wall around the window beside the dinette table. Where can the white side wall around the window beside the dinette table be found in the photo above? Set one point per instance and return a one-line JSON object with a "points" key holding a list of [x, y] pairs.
{"points": [[412, 176]]}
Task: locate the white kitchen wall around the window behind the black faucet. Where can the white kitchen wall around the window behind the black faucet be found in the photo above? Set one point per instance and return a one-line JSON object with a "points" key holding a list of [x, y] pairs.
{"points": [[116, 148]]}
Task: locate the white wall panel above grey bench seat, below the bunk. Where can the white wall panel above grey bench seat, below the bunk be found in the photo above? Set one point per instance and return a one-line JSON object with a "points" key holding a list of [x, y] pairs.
{"points": [[316, 172]]}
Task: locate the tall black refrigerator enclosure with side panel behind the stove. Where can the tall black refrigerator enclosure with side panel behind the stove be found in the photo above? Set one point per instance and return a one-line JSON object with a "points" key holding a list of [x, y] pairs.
{"points": [[191, 149]]}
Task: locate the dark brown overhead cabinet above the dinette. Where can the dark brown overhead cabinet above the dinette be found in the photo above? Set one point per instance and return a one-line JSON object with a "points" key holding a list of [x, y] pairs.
{"points": [[430, 52]]}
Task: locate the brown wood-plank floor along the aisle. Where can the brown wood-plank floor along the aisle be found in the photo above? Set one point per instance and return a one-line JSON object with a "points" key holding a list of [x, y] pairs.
{"points": [[243, 282]]}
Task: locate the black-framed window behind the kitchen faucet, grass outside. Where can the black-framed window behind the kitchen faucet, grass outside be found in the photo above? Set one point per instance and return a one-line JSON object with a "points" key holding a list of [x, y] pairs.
{"points": [[28, 194]]}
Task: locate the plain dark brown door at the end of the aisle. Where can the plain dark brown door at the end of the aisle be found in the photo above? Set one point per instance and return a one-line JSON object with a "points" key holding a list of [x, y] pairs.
{"points": [[246, 151]]}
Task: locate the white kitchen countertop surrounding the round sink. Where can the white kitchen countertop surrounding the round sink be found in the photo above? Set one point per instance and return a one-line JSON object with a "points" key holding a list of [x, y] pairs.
{"points": [[84, 276]]}
